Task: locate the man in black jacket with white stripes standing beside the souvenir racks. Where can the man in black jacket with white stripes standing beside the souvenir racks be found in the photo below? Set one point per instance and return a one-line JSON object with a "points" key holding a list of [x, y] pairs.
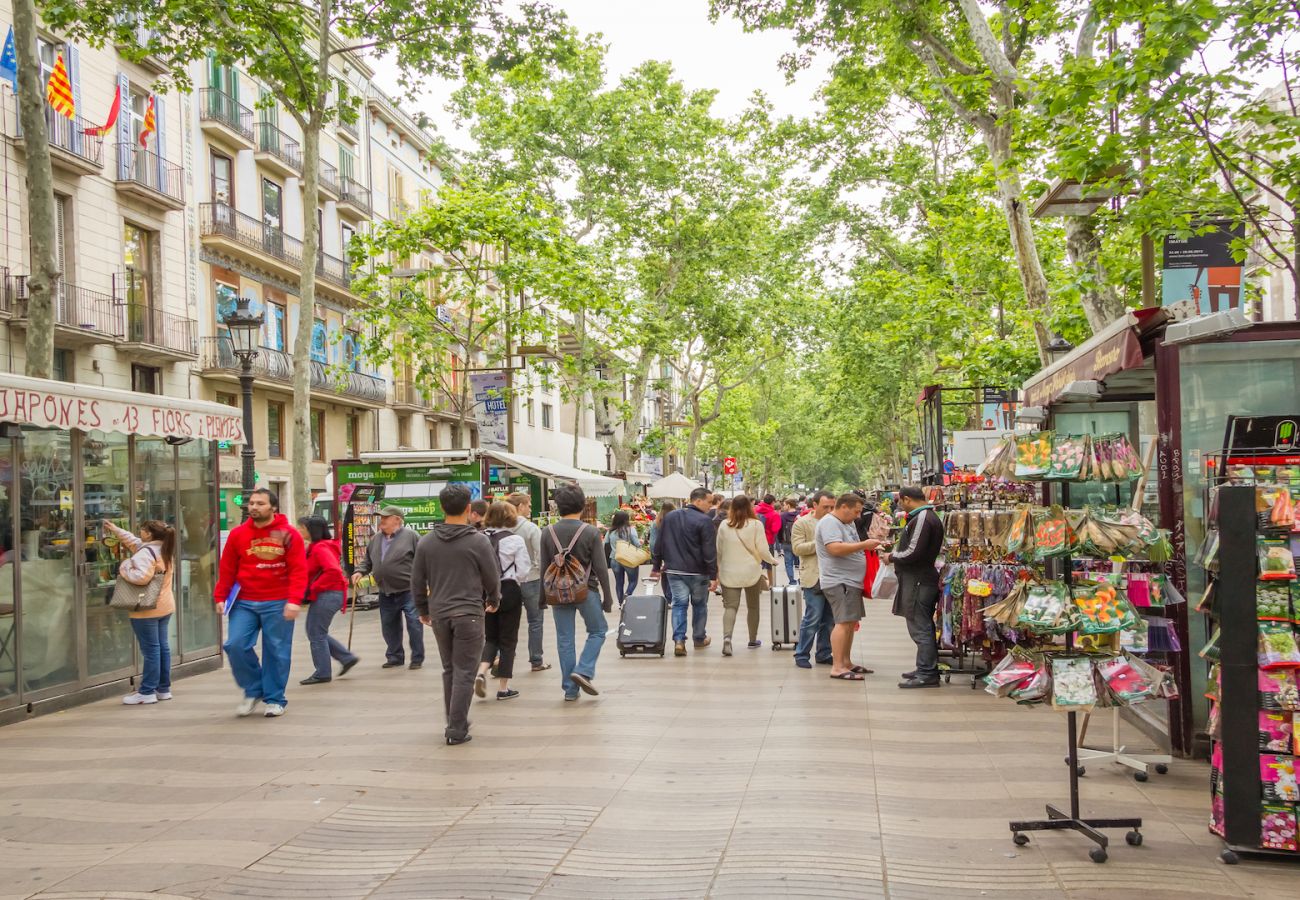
{"points": [[920, 547]]}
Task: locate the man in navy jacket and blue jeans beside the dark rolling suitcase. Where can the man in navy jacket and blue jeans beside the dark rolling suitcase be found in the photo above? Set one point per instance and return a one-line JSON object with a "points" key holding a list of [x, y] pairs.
{"points": [[687, 553]]}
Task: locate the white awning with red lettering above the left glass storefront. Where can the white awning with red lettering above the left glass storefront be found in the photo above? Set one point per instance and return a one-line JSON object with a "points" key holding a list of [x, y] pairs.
{"points": [[90, 409]]}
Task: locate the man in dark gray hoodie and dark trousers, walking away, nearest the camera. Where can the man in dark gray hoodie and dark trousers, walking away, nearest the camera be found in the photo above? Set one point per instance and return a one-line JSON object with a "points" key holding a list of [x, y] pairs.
{"points": [[454, 581]]}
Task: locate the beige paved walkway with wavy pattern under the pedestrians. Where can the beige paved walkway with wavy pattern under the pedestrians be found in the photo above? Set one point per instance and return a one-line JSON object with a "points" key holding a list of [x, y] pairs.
{"points": [[686, 778]]}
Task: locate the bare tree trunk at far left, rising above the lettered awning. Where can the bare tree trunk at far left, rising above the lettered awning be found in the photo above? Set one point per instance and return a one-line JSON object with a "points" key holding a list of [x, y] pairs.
{"points": [[41, 196]]}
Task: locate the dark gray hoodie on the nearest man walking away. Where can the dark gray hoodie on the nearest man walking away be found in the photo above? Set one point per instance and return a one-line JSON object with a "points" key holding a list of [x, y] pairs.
{"points": [[456, 573]]}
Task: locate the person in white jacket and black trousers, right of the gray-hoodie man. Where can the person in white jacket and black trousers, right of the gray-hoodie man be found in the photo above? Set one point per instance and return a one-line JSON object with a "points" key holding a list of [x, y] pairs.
{"points": [[501, 629]]}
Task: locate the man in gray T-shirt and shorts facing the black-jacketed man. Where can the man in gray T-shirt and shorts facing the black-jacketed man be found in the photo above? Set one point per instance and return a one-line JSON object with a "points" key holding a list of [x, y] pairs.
{"points": [[843, 569]]}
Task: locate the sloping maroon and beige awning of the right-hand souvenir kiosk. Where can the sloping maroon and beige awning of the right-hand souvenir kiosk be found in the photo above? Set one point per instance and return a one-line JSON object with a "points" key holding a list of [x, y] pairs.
{"points": [[1119, 348]]}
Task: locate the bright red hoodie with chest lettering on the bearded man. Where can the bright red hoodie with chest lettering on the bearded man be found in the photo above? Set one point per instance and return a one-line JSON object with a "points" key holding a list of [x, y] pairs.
{"points": [[267, 564]]}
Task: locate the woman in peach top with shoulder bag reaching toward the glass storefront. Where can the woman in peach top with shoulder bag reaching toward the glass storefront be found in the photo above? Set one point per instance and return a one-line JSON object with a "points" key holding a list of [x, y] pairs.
{"points": [[151, 556]]}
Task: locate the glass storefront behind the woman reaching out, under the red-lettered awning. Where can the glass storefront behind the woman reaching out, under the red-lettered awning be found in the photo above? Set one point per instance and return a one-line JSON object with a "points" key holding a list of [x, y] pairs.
{"points": [[58, 487]]}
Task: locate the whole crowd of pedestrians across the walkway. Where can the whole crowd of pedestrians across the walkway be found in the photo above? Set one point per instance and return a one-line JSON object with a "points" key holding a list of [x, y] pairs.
{"points": [[474, 578]]}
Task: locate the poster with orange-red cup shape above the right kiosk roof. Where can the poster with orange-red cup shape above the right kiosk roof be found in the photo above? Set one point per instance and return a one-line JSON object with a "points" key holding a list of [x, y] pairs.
{"points": [[1202, 269]]}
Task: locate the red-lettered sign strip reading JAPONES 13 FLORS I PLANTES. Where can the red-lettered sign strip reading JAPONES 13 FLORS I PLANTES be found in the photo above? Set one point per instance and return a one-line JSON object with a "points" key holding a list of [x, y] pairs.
{"points": [[90, 413]]}
